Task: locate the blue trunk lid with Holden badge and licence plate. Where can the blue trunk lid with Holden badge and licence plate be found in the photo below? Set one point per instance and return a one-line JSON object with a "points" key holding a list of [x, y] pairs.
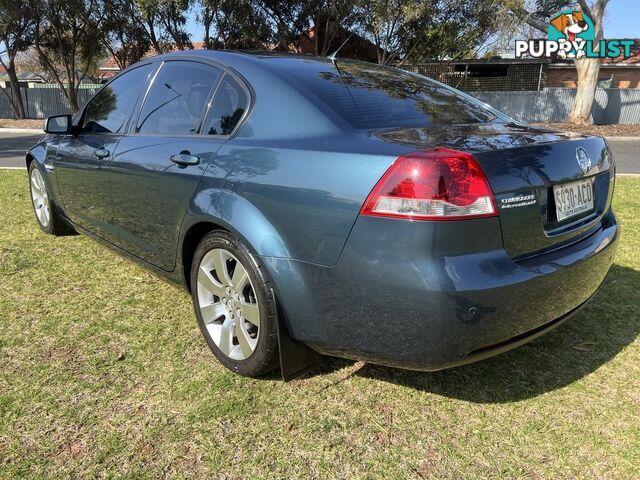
{"points": [[523, 165]]}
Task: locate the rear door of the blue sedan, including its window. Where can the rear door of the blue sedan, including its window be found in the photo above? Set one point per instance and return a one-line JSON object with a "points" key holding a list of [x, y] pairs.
{"points": [[159, 164]]}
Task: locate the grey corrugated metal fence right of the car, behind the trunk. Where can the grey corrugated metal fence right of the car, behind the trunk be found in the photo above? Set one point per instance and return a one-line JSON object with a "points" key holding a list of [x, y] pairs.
{"points": [[612, 105]]}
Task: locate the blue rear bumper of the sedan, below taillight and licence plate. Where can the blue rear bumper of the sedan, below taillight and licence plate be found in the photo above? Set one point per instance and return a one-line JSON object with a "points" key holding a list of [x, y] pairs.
{"points": [[388, 302]]}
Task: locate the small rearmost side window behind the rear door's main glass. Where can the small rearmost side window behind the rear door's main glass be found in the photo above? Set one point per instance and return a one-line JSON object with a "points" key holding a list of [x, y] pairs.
{"points": [[229, 104]]}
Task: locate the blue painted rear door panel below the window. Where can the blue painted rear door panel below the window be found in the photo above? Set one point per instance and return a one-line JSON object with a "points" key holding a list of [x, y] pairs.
{"points": [[151, 193]]}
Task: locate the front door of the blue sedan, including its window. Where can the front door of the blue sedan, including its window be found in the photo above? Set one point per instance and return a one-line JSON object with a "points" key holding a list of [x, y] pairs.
{"points": [[84, 158]]}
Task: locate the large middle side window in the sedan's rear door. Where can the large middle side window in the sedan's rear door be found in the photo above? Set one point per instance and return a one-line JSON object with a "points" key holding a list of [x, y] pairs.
{"points": [[177, 99]]}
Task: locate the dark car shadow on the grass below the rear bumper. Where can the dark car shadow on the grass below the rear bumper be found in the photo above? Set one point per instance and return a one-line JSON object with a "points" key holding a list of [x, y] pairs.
{"points": [[586, 342]]}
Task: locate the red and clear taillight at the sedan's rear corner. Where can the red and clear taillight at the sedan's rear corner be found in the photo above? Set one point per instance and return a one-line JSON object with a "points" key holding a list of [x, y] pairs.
{"points": [[439, 184]]}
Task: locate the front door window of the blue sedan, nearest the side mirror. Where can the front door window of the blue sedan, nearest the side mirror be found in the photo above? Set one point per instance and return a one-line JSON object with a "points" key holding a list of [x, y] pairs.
{"points": [[110, 109]]}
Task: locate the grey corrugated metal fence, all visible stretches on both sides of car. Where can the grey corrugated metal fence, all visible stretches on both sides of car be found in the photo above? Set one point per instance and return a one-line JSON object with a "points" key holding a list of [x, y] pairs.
{"points": [[612, 106]]}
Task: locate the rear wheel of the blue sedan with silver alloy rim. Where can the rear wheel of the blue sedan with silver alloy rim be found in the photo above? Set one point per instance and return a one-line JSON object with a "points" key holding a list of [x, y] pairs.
{"points": [[228, 304]]}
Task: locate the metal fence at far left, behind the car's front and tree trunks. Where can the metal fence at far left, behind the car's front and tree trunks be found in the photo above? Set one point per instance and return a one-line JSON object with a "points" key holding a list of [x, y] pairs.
{"points": [[43, 102]]}
